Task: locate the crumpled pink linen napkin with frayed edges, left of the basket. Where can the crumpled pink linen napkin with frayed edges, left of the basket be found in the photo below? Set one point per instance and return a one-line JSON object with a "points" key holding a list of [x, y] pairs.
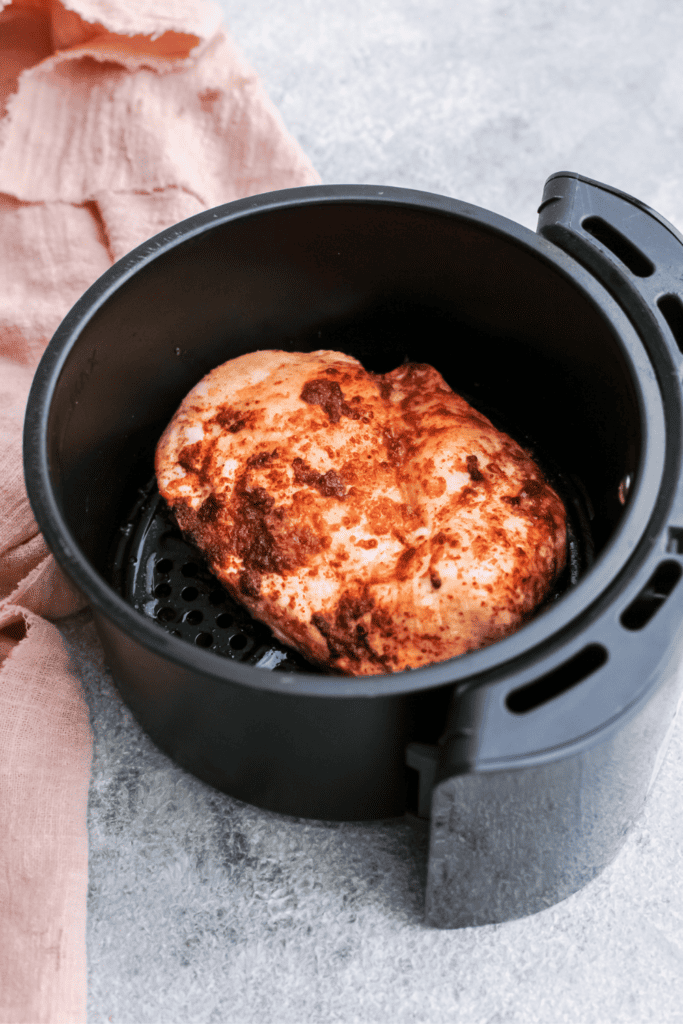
{"points": [[118, 118]]}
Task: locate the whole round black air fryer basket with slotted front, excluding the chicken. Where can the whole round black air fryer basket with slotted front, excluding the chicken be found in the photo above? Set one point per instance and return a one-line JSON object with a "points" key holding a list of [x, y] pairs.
{"points": [[531, 758]]}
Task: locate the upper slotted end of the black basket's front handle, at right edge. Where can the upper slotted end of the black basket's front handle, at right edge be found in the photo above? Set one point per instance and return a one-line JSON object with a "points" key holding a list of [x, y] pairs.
{"points": [[633, 251]]}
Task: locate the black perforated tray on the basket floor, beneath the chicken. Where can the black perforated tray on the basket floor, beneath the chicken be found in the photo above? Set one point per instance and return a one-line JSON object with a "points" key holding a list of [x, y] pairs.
{"points": [[166, 579]]}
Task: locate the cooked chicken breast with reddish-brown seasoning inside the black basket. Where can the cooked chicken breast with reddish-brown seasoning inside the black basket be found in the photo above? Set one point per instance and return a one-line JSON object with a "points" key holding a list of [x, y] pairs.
{"points": [[375, 523]]}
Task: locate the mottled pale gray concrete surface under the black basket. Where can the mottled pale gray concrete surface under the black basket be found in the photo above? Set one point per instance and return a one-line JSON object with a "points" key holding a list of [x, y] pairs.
{"points": [[205, 910]]}
